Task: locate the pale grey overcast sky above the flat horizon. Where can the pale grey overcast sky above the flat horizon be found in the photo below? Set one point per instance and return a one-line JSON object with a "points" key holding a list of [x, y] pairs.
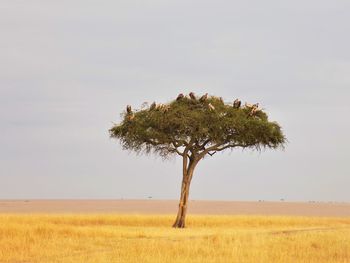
{"points": [[69, 68]]}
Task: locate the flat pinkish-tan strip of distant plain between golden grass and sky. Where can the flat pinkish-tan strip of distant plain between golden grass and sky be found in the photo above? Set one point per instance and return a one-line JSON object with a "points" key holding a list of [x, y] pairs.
{"points": [[170, 207]]}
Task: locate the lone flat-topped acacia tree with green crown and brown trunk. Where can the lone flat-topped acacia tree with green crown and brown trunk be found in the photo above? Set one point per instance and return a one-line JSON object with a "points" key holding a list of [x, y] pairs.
{"points": [[194, 128]]}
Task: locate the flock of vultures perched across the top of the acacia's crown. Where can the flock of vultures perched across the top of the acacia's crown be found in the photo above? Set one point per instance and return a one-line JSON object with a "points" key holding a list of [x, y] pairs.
{"points": [[254, 108]]}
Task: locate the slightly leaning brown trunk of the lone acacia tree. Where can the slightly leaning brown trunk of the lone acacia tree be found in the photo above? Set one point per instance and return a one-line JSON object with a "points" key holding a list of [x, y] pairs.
{"points": [[185, 190]]}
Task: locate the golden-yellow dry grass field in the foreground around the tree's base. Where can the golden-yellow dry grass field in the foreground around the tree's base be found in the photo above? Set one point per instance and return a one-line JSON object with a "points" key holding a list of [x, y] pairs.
{"points": [[132, 238]]}
